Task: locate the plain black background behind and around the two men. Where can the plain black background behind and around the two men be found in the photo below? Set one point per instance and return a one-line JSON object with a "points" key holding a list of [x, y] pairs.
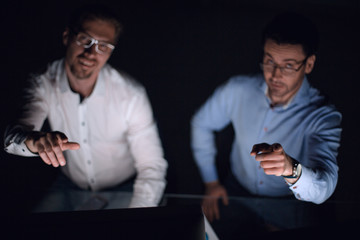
{"points": [[180, 51]]}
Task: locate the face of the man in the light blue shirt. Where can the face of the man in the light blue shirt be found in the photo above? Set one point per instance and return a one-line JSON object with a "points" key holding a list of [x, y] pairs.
{"points": [[284, 83]]}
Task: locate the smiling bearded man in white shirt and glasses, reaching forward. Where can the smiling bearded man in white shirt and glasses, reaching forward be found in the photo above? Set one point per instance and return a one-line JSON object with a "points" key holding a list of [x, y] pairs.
{"points": [[103, 131]]}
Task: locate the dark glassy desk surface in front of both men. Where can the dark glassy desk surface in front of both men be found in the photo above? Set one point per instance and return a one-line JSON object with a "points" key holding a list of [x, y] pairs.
{"points": [[243, 218]]}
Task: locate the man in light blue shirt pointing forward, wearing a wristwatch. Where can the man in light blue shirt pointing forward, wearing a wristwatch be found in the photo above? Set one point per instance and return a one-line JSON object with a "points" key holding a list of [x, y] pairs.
{"points": [[286, 134]]}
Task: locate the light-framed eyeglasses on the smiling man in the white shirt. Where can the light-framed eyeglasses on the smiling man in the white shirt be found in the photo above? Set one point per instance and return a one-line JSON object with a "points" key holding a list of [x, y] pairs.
{"points": [[86, 41]]}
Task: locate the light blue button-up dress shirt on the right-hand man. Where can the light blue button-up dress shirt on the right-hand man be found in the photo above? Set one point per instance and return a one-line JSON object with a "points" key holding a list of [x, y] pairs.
{"points": [[308, 128]]}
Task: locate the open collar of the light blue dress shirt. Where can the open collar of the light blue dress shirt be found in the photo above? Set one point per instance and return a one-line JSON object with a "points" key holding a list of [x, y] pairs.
{"points": [[301, 97]]}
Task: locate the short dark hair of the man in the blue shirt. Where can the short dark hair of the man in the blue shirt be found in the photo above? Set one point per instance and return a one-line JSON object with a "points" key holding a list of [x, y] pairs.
{"points": [[292, 28]]}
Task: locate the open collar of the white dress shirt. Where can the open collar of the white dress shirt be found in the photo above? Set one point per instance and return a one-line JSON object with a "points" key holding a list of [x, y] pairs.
{"points": [[65, 87]]}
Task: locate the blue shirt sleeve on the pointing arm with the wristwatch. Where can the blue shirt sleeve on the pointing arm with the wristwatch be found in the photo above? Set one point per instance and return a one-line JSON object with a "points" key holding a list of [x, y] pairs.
{"points": [[319, 170]]}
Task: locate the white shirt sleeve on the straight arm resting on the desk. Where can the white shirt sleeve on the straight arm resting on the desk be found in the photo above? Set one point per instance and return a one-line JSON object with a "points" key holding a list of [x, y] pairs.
{"points": [[146, 148]]}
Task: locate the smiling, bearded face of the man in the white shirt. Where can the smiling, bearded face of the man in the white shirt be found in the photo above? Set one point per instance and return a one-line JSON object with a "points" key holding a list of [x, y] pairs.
{"points": [[85, 63]]}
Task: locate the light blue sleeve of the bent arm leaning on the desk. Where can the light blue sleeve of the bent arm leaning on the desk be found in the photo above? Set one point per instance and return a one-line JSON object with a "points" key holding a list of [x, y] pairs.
{"points": [[212, 116]]}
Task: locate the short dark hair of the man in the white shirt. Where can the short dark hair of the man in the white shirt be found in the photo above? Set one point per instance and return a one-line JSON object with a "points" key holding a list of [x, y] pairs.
{"points": [[94, 12]]}
